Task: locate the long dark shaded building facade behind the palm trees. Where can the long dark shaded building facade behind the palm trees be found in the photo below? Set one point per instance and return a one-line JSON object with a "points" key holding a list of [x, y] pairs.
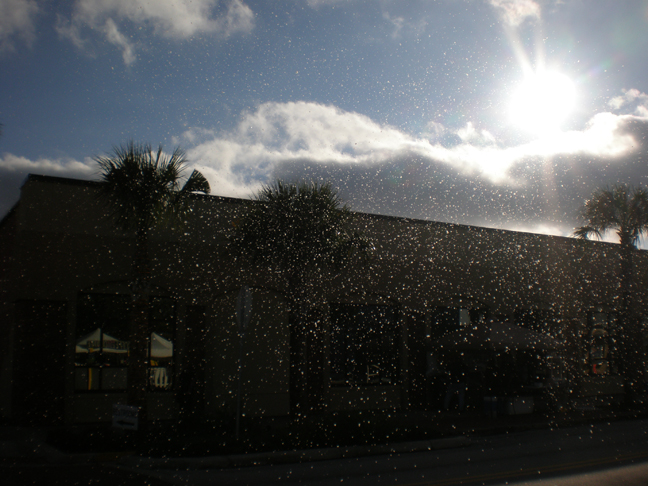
{"points": [[65, 302]]}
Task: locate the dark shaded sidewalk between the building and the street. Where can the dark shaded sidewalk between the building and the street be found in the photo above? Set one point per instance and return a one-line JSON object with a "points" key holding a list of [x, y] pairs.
{"points": [[20, 445]]}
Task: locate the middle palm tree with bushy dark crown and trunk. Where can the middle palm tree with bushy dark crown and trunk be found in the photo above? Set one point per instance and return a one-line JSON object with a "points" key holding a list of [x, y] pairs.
{"points": [[304, 232]]}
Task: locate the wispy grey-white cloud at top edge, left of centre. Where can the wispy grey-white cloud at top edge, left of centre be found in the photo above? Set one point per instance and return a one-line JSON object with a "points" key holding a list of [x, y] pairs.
{"points": [[169, 18]]}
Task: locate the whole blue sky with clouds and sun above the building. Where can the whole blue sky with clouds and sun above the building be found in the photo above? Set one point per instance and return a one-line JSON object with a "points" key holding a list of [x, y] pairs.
{"points": [[497, 113]]}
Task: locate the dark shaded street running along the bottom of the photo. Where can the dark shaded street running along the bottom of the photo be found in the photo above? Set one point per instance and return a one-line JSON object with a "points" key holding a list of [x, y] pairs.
{"points": [[601, 454]]}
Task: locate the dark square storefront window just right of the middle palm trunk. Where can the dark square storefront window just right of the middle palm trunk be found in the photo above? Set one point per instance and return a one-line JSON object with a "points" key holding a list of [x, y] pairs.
{"points": [[364, 345]]}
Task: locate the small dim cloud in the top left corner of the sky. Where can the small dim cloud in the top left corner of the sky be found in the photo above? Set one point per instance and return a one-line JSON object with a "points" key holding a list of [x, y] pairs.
{"points": [[17, 20]]}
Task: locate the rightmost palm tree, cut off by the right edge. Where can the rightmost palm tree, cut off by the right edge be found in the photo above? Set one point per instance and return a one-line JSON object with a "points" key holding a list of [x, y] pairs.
{"points": [[622, 209]]}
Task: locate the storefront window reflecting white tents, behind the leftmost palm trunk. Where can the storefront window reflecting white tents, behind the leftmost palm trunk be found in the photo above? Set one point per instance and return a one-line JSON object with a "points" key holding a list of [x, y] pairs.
{"points": [[102, 345]]}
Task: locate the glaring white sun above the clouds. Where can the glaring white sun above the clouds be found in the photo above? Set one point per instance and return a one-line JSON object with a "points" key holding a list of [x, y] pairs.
{"points": [[542, 102]]}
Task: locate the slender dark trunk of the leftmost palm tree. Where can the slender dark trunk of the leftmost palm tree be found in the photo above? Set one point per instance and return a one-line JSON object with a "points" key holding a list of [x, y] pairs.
{"points": [[139, 327]]}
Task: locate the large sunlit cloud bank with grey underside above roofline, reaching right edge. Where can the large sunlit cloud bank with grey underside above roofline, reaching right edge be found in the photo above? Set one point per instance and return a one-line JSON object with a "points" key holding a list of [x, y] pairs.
{"points": [[473, 179]]}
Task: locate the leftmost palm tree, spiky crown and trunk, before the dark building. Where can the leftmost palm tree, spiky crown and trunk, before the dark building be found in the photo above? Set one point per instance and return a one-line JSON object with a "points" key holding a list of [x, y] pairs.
{"points": [[143, 191]]}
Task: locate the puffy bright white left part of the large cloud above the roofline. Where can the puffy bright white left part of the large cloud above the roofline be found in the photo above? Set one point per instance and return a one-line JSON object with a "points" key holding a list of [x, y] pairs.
{"points": [[237, 162]]}
